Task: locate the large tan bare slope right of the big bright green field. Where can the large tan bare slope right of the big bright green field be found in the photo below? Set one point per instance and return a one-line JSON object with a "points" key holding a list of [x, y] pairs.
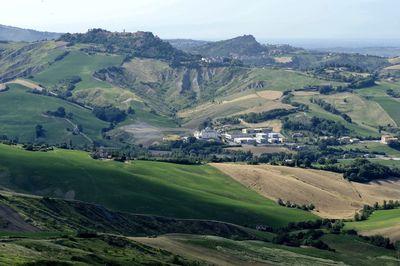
{"points": [[333, 196]]}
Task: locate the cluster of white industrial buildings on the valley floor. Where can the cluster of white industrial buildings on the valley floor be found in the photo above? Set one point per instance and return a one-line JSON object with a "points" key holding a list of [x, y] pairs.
{"points": [[246, 136]]}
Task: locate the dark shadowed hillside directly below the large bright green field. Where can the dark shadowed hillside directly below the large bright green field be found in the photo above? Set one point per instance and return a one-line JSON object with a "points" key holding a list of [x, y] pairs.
{"points": [[31, 214]]}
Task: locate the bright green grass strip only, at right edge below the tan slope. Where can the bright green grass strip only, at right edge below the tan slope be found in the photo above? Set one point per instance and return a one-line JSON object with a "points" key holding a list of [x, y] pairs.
{"points": [[378, 220]]}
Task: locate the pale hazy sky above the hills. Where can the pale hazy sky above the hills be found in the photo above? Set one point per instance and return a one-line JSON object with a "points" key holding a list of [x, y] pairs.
{"points": [[213, 19]]}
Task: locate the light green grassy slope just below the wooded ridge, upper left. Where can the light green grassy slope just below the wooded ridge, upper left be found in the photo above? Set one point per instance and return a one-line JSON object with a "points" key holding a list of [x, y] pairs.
{"points": [[78, 63]]}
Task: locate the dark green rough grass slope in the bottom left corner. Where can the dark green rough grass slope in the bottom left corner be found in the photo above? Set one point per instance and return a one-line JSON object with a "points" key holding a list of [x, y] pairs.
{"points": [[101, 250]]}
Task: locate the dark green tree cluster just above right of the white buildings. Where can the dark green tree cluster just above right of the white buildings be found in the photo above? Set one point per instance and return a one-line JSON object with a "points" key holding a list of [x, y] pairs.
{"points": [[316, 125]]}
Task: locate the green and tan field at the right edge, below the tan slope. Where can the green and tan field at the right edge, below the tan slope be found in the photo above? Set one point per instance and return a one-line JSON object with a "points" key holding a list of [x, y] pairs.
{"points": [[382, 222]]}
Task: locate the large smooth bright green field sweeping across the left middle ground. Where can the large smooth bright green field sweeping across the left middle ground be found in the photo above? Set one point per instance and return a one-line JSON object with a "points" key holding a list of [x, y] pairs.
{"points": [[183, 191]]}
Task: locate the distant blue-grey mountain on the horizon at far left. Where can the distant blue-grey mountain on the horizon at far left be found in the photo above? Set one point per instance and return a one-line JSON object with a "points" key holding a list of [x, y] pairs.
{"points": [[8, 33]]}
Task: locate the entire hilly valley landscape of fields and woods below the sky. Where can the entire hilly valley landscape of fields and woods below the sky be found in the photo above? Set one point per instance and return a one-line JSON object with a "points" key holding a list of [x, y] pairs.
{"points": [[121, 148]]}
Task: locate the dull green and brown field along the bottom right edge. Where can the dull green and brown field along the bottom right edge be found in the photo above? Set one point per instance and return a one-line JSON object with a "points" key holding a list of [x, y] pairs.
{"points": [[220, 251]]}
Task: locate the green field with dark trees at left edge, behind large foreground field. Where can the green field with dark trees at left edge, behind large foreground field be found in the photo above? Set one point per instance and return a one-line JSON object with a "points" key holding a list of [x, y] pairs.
{"points": [[21, 111]]}
